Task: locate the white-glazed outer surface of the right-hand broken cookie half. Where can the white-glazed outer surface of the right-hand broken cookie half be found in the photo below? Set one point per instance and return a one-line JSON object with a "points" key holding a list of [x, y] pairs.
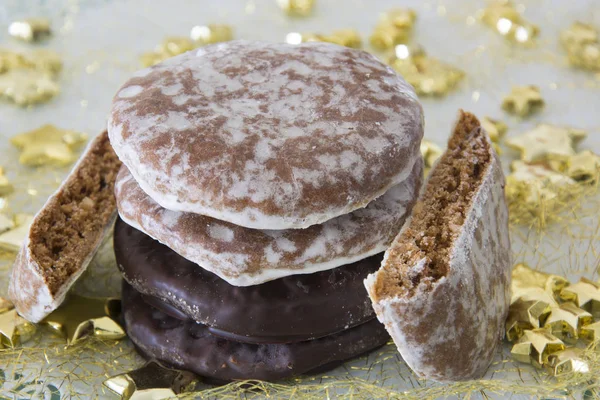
{"points": [[451, 331]]}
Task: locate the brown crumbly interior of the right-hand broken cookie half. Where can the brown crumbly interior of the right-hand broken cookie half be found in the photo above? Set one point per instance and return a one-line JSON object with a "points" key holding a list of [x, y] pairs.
{"points": [[421, 253]]}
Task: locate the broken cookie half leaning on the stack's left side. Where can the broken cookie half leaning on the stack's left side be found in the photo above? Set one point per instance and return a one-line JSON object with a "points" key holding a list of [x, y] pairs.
{"points": [[66, 232]]}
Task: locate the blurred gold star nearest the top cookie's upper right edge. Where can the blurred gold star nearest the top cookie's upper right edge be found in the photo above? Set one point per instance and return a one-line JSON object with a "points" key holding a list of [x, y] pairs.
{"points": [[429, 76]]}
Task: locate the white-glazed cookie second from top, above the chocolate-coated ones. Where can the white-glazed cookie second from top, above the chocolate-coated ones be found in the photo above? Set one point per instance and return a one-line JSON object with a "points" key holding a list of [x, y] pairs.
{"points": [[244, 256]]}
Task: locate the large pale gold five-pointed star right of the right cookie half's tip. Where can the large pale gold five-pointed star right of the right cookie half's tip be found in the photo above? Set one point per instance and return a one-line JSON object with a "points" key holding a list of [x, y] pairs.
{"points": [[547, 143]]}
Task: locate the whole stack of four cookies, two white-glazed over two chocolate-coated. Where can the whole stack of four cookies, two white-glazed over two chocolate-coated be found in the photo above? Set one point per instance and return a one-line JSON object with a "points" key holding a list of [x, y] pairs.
{"points": [[261, 185]]}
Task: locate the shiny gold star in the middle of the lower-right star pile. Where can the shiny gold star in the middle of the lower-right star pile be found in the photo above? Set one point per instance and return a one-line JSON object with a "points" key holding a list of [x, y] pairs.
{"points": [[565, 322]]}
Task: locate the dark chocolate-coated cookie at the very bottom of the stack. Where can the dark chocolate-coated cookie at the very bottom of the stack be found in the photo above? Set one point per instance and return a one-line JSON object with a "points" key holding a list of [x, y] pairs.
{"points": [[188, 345]]}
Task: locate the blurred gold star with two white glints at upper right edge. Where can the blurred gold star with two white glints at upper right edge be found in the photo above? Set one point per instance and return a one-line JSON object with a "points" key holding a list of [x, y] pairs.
{"points": [[503, 17]]}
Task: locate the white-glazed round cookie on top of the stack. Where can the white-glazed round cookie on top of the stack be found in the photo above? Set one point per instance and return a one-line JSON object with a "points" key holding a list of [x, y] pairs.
{"points": [[267, 135]]}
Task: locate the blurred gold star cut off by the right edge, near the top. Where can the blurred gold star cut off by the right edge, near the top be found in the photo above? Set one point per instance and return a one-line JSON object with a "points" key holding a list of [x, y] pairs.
{"points": [[582, 43]]}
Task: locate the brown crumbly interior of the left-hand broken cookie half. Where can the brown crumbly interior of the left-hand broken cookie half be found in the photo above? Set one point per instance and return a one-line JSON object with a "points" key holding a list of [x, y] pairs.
{"points": [[67, 230]]}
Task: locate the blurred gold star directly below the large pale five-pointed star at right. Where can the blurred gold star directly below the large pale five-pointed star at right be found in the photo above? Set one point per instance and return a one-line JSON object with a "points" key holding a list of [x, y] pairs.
{"points": [[530, 184]]}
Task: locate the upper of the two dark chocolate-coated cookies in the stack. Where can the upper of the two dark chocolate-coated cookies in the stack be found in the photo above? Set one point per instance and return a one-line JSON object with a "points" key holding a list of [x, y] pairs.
{"points": [[306, 306]]}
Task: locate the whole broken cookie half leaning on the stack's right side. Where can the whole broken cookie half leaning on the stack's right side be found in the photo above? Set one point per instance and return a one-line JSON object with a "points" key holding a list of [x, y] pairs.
{"points": [[443, 289]]}
